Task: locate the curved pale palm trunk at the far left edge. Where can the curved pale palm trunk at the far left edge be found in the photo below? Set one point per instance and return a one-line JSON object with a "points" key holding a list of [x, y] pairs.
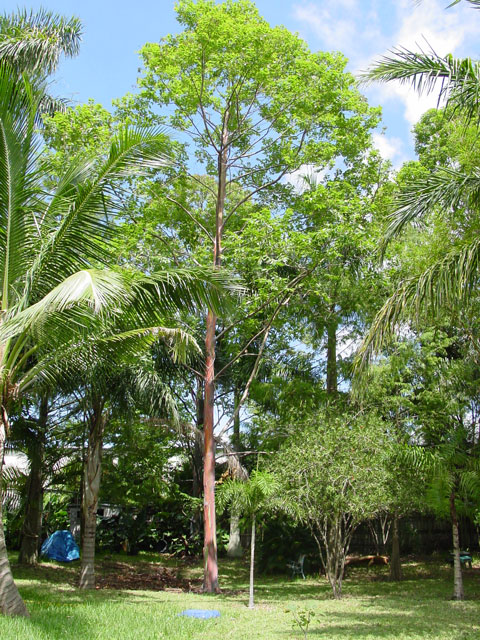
{"points": [[11, 603]]}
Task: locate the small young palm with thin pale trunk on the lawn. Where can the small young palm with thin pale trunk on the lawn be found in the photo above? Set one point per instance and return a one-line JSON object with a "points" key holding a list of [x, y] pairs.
{"points": [[250, 498]]}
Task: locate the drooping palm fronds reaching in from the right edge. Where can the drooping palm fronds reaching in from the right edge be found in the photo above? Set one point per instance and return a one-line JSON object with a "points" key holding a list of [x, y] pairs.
{"points": [[451, 280]]}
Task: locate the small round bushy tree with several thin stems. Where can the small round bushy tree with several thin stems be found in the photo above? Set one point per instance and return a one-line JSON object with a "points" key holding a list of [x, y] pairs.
{"points": [[332, 477]]}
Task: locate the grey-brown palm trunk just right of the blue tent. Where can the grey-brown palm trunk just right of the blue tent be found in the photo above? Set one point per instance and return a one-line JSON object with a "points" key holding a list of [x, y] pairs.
{"points": [[91, 489]]}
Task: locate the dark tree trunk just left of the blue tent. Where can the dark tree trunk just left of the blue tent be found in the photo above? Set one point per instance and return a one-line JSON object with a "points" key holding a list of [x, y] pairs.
{"points": [[32, 524]]}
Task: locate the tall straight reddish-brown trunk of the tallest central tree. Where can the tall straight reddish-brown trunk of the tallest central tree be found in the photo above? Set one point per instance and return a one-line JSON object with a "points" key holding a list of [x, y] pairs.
{"points": [[210, 576]]}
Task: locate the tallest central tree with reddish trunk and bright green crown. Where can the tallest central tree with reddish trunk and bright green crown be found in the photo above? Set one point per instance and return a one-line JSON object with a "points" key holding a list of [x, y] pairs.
{"points": [[255, 105]]}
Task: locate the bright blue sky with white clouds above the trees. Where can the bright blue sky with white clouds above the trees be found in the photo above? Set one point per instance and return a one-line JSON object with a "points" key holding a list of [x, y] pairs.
{"points": [[114, 31]]}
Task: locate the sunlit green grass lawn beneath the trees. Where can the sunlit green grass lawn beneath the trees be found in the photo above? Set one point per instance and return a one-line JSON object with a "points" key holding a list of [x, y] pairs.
{"points": [[372, 607]]}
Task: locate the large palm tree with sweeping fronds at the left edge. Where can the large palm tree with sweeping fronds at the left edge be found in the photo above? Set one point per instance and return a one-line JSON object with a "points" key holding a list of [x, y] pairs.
{"points": [[54, 254]]}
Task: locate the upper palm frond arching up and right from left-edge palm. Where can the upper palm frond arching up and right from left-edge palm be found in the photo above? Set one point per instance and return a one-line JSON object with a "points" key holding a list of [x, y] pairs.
{"points": [[74, 224]]}
